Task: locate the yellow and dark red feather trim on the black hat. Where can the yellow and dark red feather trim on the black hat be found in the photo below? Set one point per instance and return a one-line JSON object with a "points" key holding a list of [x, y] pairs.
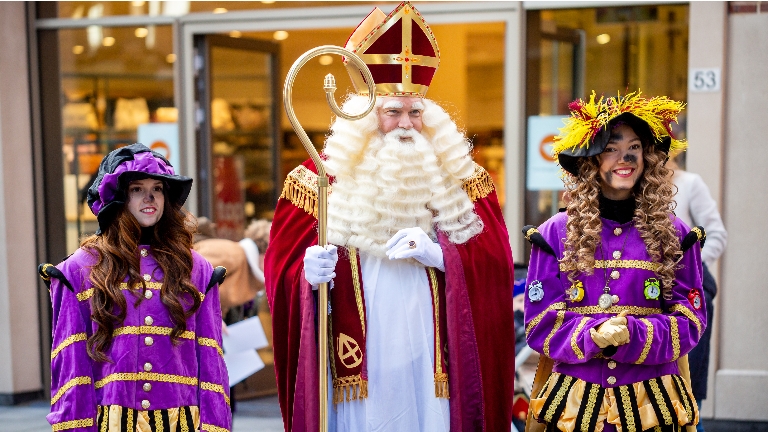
{"points": [[589, 118]]}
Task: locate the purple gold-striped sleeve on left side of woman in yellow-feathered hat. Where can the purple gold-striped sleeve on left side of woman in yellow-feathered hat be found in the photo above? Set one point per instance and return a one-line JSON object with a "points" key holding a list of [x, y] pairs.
{"points": [[550, 329]]}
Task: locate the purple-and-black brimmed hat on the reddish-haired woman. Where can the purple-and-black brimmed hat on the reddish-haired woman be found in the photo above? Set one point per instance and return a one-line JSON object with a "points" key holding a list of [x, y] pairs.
{"points": [[134, 162]]}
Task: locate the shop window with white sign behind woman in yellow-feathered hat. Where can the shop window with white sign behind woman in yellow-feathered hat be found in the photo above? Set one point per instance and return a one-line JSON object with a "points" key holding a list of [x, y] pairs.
{"points": [[571, 52]]}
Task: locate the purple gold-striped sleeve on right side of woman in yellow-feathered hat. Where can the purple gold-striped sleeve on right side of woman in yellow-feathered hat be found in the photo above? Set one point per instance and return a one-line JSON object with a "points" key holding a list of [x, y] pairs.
{"points": [[663, 338]]}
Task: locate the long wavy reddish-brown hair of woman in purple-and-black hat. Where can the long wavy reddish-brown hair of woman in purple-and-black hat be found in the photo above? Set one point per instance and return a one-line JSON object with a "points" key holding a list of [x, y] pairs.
{"points": [[118, 261]]}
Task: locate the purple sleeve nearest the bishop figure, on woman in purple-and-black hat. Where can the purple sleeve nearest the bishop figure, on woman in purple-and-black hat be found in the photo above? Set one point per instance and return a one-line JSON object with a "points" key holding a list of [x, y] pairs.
{"points": [[213, 390]]}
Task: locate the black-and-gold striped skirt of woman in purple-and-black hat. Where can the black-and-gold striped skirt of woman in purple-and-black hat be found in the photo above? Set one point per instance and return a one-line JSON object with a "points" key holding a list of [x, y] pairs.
{"points": [[114, 418]]}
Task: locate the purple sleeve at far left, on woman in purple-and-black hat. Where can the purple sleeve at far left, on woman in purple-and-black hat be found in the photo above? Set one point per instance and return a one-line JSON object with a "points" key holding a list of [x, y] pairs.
{"points": [[73, 396]]}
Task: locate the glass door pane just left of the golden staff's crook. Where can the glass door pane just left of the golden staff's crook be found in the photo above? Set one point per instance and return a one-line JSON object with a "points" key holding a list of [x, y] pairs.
{"points": [[236, 90]]}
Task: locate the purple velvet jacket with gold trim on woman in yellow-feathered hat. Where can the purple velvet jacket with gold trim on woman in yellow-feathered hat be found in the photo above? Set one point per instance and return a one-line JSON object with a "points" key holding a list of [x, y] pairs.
{"points": [[559, 327]]}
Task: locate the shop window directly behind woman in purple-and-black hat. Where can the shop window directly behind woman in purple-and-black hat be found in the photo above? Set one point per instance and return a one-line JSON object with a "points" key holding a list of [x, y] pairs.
{"points": [[116, 89]]}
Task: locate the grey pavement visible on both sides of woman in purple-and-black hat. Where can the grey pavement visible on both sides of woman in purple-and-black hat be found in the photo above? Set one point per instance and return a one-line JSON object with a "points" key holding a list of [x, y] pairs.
{"points": [[257, 415]]}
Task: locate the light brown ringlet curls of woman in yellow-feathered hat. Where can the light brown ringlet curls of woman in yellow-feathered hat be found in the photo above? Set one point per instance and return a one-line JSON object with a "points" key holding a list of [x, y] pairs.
{"points": [[653, 195]]}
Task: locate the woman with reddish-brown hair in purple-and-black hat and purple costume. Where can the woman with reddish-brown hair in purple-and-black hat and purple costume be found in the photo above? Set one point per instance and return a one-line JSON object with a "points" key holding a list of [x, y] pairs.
{"points": [[136, 316]]}
